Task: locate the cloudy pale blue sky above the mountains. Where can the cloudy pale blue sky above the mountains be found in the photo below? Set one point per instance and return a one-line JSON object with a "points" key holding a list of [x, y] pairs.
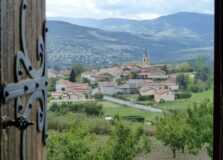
{"points": [[132, 9]]}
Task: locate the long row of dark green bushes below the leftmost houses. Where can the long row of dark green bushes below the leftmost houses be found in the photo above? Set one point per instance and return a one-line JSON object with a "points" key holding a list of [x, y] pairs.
{"points": [[90, 108]]}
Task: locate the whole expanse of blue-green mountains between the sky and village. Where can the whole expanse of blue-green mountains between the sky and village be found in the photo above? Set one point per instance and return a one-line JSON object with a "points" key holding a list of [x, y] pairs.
{"points": [[169, 38]]}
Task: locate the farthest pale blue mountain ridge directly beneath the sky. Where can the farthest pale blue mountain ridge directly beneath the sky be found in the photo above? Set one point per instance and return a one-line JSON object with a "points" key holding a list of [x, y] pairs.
{"points": [[183, 21]]}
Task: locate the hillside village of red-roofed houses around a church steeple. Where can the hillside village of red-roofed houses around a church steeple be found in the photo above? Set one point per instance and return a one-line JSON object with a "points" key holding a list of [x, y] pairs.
{"points": [[141, 78]]}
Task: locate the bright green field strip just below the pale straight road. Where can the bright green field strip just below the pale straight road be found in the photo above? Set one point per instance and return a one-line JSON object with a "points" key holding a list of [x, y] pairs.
{"points": [[116, 109]]}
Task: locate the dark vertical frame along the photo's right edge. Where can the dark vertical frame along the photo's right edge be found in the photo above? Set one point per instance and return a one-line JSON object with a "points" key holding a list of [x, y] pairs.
{"points": [[218, 104]]}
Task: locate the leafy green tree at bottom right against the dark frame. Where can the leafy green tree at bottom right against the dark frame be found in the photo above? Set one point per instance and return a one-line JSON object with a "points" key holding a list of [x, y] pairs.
{"points": [[200, 120]]}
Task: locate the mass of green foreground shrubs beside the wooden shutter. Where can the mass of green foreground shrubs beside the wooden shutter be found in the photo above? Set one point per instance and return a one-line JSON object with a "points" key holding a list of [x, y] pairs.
{"points": [[78, 141]]}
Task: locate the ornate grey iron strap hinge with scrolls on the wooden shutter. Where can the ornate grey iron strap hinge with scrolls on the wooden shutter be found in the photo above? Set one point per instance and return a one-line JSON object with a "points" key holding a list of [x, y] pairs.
{"points": [[35, 88]]}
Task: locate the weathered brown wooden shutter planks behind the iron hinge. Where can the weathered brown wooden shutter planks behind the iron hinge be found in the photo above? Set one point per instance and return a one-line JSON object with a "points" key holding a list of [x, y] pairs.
{"points": [[9, 46]]}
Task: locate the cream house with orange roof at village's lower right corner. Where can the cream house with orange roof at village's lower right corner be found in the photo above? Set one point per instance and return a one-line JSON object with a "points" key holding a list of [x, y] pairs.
{"points": [[164, 95]]}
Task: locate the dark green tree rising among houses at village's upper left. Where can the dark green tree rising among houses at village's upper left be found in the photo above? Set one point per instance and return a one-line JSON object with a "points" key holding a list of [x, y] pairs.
{"points": [[76, 72]]}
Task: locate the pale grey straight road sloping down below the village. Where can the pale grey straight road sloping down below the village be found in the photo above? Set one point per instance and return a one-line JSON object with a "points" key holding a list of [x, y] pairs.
{"points": [[132, 104]]}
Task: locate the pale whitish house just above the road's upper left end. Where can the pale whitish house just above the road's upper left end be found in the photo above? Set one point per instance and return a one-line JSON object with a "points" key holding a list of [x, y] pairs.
{"points": [[107, 88]]}
